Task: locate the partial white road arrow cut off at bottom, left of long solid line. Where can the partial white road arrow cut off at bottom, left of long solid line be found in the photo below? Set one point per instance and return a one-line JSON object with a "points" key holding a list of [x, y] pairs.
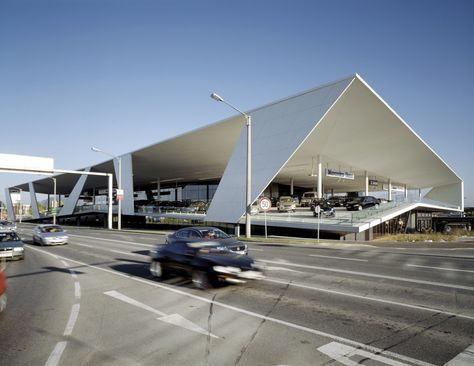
{"points": [[342, 354]]}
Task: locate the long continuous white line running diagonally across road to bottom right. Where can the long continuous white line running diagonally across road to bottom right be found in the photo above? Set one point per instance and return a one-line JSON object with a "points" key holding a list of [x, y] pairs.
{"points": [[249, 313]]}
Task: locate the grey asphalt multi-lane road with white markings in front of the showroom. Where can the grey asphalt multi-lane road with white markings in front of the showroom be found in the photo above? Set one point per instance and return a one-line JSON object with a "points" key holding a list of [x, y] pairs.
{"points": [[93, 302]]}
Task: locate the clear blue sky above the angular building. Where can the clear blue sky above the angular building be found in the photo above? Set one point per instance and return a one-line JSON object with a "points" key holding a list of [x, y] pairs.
{"points": [[122, 75]]}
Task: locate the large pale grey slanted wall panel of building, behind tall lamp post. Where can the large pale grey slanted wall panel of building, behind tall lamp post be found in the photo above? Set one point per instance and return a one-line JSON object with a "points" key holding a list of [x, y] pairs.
{"points": [[277, 132]]}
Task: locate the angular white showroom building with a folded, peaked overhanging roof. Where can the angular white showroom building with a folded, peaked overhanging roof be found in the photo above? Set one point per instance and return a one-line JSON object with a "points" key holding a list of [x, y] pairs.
{"points": [[339, 138]]}
